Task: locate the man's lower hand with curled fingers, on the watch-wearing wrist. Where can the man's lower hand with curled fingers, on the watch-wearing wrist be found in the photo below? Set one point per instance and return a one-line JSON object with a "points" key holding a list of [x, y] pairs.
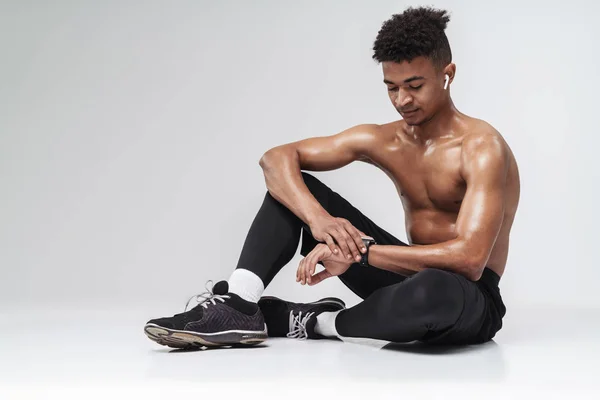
{"points": [[335, 264]]}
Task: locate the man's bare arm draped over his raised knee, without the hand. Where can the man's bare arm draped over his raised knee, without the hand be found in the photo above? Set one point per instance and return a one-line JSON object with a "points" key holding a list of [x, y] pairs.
{"points": [[282, 165]]}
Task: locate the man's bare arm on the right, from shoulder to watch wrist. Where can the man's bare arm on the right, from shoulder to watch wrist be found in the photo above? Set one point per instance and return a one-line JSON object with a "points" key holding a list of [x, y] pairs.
{"points": [[484, 166]]}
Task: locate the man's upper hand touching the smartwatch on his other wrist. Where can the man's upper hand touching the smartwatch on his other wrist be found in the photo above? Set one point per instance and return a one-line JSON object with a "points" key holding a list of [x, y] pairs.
{"points": [[334, 230]]}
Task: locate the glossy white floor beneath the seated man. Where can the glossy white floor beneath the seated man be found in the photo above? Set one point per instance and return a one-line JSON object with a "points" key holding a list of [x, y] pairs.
{"points": [[71, 354]]}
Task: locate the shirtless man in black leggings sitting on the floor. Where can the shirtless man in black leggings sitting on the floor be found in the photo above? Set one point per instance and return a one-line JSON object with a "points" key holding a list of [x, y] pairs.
{"points": [[459, 185]]}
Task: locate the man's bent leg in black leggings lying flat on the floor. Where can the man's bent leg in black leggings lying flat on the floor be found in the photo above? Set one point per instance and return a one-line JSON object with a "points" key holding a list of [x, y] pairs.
{"points": [[433, 306]]}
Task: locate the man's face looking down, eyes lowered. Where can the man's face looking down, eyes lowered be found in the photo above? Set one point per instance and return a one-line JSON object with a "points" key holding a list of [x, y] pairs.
{"points": [[415, 88]]}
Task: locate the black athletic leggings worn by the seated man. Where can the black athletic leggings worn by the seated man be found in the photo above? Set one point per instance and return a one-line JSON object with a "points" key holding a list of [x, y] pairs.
{"points": [[432, 306]]}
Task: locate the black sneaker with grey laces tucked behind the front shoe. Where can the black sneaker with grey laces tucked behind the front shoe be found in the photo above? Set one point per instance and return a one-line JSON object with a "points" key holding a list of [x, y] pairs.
{"points": [[296, 320]]}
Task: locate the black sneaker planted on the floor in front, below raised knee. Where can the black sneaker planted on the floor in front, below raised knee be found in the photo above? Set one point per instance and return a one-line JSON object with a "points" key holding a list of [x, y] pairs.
{"points": [[221, 319]]}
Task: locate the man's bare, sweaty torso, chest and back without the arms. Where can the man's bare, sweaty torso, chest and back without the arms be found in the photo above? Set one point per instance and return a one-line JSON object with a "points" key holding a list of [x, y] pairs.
{"points": [[428, 180]]}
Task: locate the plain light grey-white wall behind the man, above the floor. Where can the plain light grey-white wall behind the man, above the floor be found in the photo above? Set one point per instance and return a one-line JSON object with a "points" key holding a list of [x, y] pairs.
{"points": [[130, 134]]}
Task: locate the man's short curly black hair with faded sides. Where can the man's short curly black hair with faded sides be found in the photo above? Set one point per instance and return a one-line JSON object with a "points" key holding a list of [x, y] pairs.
{"points": [[416, 32]]}
